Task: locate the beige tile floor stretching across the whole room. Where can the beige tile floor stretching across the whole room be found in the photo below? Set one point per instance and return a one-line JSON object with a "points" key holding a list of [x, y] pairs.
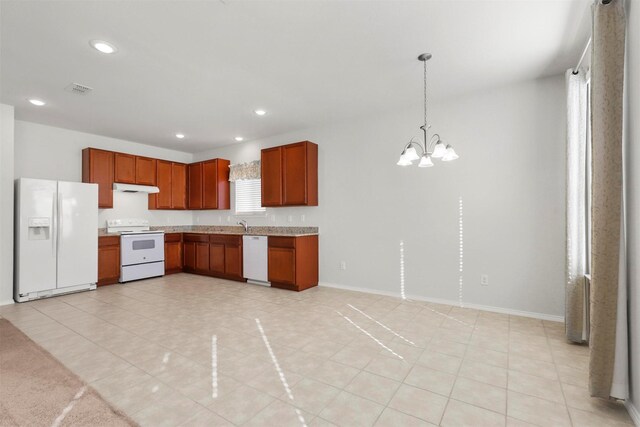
{"points": [[187, 350]]}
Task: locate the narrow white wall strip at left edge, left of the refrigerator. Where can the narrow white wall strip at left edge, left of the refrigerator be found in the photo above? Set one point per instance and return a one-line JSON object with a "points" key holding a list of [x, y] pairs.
{"points": [[6, 201]]}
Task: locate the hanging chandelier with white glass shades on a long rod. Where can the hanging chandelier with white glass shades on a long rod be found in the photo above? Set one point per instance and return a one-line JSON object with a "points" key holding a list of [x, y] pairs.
{"points": [[429, 148]]}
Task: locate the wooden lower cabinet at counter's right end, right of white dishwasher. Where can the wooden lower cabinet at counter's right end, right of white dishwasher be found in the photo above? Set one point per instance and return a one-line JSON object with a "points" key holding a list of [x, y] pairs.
{"points": [[293, 262]]}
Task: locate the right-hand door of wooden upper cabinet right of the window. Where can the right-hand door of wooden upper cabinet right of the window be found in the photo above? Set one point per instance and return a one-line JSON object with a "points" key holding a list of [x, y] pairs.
{"points": [[294, 174]]}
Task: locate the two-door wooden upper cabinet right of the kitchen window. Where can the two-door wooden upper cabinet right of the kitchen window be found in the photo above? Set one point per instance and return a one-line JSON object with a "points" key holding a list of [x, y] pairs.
{"points": [[290, 175]]}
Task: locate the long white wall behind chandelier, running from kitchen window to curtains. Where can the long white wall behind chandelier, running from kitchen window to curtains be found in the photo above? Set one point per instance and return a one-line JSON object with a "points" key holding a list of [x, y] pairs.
{"points": [[510, 176]]}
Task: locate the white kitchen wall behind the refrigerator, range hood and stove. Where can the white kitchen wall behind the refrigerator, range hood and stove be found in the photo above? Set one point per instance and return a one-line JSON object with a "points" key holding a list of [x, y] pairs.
{"points": [[54, 153]]}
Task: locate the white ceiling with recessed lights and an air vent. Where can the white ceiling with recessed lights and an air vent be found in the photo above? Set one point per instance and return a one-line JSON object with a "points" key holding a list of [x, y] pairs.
{"points": [[202, 67]]}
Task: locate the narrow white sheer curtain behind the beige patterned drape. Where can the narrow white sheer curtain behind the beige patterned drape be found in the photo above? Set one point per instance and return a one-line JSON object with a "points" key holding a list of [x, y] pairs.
{"points": [[576, 205]]}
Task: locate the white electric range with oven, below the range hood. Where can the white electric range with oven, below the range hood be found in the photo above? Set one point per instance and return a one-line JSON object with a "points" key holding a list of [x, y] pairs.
{"points": [[141, 250]]}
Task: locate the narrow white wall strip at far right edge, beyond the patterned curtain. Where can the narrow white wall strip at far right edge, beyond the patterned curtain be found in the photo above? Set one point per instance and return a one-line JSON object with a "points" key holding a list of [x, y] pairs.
{"points": [[633, 196]]}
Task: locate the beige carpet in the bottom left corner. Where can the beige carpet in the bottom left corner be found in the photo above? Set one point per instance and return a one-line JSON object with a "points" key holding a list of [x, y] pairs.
{"points": [[37, 390]]}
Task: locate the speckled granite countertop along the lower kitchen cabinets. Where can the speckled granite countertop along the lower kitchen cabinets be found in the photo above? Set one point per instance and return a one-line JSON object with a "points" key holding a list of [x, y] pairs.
{"points": [[230, 229]]}
